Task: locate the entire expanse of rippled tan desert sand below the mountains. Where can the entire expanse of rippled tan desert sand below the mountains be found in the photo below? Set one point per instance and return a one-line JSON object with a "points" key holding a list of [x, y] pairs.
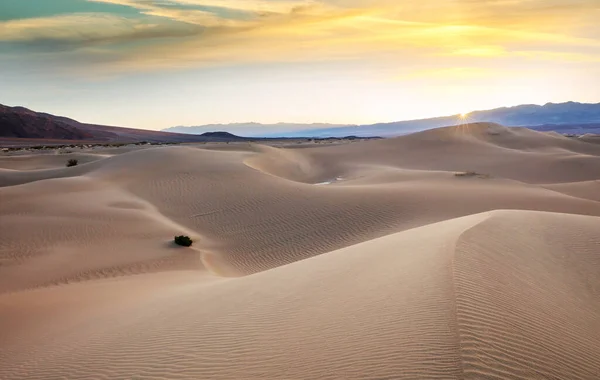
{"points": [[366, 260]]}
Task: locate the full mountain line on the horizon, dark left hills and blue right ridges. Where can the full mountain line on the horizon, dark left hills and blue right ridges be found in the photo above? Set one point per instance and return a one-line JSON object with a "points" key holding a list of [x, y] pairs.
{"points": [[566, 118]]}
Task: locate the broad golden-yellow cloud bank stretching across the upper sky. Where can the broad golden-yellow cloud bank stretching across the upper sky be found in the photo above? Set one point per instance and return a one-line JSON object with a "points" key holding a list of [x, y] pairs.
{"points": [[191, 33]]}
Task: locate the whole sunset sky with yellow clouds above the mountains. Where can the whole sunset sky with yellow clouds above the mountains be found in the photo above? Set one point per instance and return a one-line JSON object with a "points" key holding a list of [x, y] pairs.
{"points": [[155, 64]]}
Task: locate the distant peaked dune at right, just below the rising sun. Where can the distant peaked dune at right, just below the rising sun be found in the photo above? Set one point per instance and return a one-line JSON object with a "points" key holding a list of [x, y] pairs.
{"points": [[520, 154]]}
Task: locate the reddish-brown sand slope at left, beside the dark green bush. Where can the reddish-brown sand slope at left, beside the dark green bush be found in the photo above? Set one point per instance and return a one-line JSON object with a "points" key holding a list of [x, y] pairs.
{"points": [[65, 230]]}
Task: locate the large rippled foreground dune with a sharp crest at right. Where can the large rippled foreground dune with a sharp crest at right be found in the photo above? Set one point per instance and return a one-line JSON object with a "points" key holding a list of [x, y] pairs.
{"points": [[485, 296]]}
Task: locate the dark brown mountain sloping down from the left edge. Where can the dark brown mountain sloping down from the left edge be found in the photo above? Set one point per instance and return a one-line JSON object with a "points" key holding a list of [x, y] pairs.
{"points": [[22, 123]]}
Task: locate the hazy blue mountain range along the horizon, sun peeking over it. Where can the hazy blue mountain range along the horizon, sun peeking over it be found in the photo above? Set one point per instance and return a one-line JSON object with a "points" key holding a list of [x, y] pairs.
{"points": [[558, 117]]}
